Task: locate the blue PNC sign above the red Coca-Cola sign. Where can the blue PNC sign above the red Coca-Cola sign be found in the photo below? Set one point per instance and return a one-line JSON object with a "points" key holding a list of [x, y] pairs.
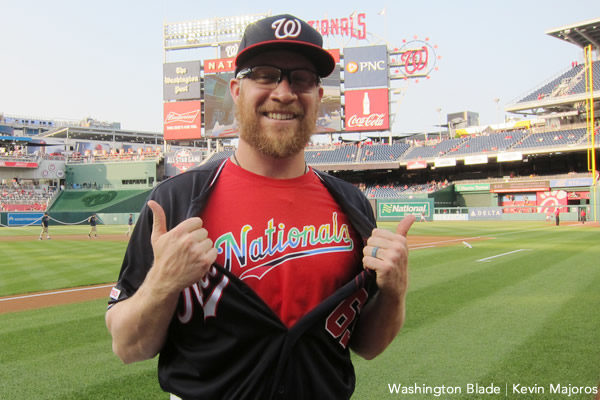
{"points": [[366, 67]]}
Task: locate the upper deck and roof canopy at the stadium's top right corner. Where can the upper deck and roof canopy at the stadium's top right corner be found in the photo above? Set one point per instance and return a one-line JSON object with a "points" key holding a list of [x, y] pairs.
{"points": [[556, 99]]}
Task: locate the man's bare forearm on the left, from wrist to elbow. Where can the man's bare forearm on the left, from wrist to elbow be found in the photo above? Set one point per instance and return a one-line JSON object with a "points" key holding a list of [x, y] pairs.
{"points": [[139, 324]]}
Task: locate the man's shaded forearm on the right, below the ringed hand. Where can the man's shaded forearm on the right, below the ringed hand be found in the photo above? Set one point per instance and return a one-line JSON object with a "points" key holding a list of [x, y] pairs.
{"points": [[379, 323]]}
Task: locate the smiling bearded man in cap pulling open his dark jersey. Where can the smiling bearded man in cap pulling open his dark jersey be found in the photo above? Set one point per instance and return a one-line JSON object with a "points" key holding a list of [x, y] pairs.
{"points": [[260, 265]]}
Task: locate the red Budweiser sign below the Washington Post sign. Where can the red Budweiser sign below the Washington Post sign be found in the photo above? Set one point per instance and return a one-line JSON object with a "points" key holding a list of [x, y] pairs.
{"points": [[182, 120]]}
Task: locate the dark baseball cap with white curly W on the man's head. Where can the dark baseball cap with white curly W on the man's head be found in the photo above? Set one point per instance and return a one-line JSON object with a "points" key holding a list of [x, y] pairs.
{"points": [[284, 32]]}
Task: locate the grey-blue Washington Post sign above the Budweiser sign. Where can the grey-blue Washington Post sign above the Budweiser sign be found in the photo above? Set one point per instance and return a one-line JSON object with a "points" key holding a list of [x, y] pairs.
{"points": [[181, 80]]}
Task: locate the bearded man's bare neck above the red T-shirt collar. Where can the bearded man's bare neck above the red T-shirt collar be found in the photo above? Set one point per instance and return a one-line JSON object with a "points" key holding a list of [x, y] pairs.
{"points": [[277, 168]]}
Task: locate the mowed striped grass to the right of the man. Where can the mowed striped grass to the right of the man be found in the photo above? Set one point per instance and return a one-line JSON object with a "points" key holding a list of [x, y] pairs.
{"points": [[527, 318]]}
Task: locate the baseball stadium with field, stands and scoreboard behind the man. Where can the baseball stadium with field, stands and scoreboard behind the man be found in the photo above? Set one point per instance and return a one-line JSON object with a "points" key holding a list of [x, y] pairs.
{"points": [[503, 297]]}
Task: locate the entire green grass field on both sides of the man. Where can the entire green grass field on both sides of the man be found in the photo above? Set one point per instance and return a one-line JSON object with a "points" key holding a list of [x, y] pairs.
{"points": [[518, 310]]}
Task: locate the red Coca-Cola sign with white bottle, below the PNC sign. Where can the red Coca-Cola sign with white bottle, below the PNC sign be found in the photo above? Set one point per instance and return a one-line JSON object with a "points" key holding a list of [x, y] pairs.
{"points": [[367, 110]]}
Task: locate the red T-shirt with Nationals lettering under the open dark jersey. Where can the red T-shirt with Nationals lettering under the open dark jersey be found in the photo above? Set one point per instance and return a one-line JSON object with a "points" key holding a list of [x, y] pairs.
{"points": [[285, 238]]}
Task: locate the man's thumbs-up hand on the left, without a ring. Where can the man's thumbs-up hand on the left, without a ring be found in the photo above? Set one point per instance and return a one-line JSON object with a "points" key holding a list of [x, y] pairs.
{"points": [[183, 255]]}
